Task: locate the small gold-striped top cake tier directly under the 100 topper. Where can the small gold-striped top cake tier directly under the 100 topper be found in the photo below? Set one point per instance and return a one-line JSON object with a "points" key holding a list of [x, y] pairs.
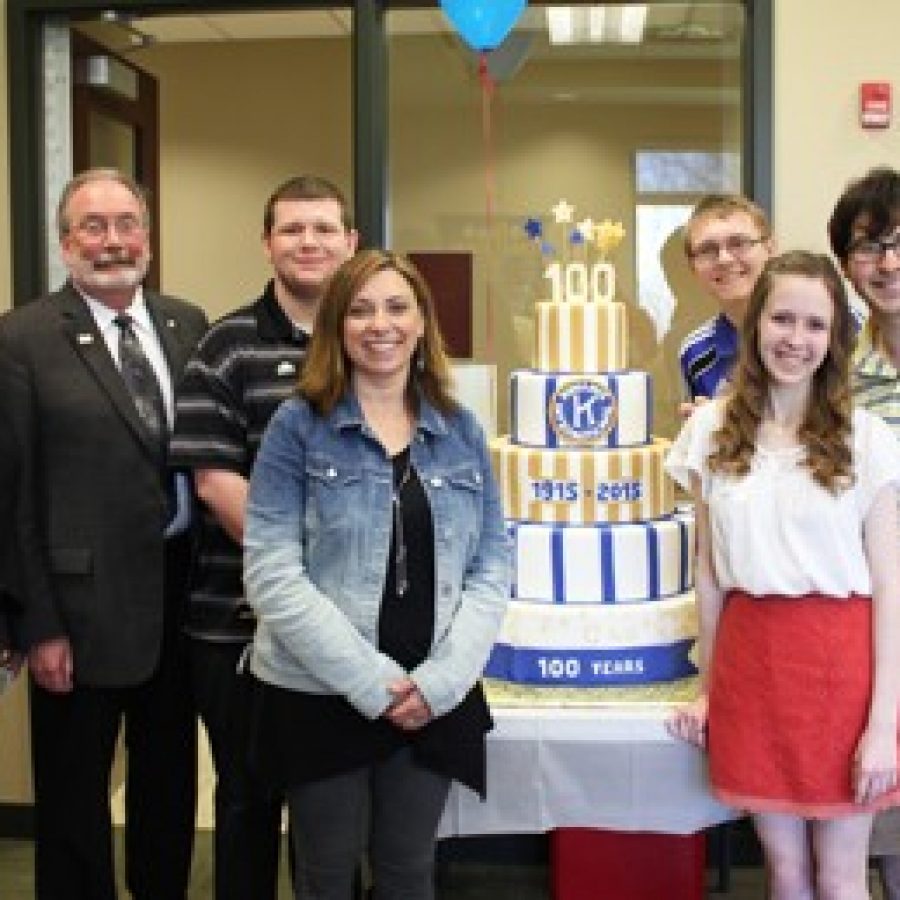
{"points": [[580, 337]]}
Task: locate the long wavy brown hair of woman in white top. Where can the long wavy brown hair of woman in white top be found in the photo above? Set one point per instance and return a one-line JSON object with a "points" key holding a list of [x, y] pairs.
{"points": [[826, 427]]}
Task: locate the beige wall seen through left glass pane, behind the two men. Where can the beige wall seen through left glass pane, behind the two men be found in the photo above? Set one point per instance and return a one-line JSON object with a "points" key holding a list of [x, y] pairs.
{"points": [[235, 120]]}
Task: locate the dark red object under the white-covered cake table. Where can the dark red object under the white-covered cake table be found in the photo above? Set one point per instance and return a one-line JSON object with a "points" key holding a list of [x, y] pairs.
{"points": [[590, 864]]}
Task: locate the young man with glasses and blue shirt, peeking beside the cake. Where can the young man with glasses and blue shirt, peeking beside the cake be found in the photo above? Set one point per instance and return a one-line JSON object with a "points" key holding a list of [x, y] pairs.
{"points": [[727, 243]]}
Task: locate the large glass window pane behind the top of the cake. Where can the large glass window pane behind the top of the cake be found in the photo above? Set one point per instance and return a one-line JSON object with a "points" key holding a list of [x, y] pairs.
{"points": [[469, 167]]}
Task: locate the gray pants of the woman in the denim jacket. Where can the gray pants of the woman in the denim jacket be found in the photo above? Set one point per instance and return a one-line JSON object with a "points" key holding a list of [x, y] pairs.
{"points": [[392, 808]]}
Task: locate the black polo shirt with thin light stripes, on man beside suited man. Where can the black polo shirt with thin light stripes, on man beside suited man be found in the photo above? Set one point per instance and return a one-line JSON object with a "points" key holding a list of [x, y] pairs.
{"points": [[246, 364]]}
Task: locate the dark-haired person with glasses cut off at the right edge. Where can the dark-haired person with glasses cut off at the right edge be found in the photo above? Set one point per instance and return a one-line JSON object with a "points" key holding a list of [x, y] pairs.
{"points": [[864, 231]]}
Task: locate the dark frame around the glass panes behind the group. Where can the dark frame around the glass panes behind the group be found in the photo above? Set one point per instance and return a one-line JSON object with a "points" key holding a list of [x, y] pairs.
{"points": [[25, 19]]}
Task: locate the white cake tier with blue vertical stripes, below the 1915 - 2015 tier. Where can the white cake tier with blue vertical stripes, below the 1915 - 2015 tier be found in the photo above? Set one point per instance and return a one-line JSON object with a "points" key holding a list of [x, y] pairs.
{"points": [[603, 563]]}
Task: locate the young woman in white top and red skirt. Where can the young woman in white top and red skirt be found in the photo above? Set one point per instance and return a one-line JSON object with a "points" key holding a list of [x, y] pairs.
{"points": [[798, 587]]}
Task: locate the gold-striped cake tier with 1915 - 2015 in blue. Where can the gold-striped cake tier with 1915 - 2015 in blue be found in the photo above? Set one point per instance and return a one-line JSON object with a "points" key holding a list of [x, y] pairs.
{"points": [[582, 486]]}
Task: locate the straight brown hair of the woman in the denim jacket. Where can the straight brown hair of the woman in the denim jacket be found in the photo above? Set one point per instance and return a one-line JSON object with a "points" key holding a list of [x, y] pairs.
{"points": [[326, 372]]}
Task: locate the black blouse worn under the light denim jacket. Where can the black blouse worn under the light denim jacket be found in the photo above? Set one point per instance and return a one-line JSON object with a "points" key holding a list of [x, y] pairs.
{"points": [[298, 737]]}
